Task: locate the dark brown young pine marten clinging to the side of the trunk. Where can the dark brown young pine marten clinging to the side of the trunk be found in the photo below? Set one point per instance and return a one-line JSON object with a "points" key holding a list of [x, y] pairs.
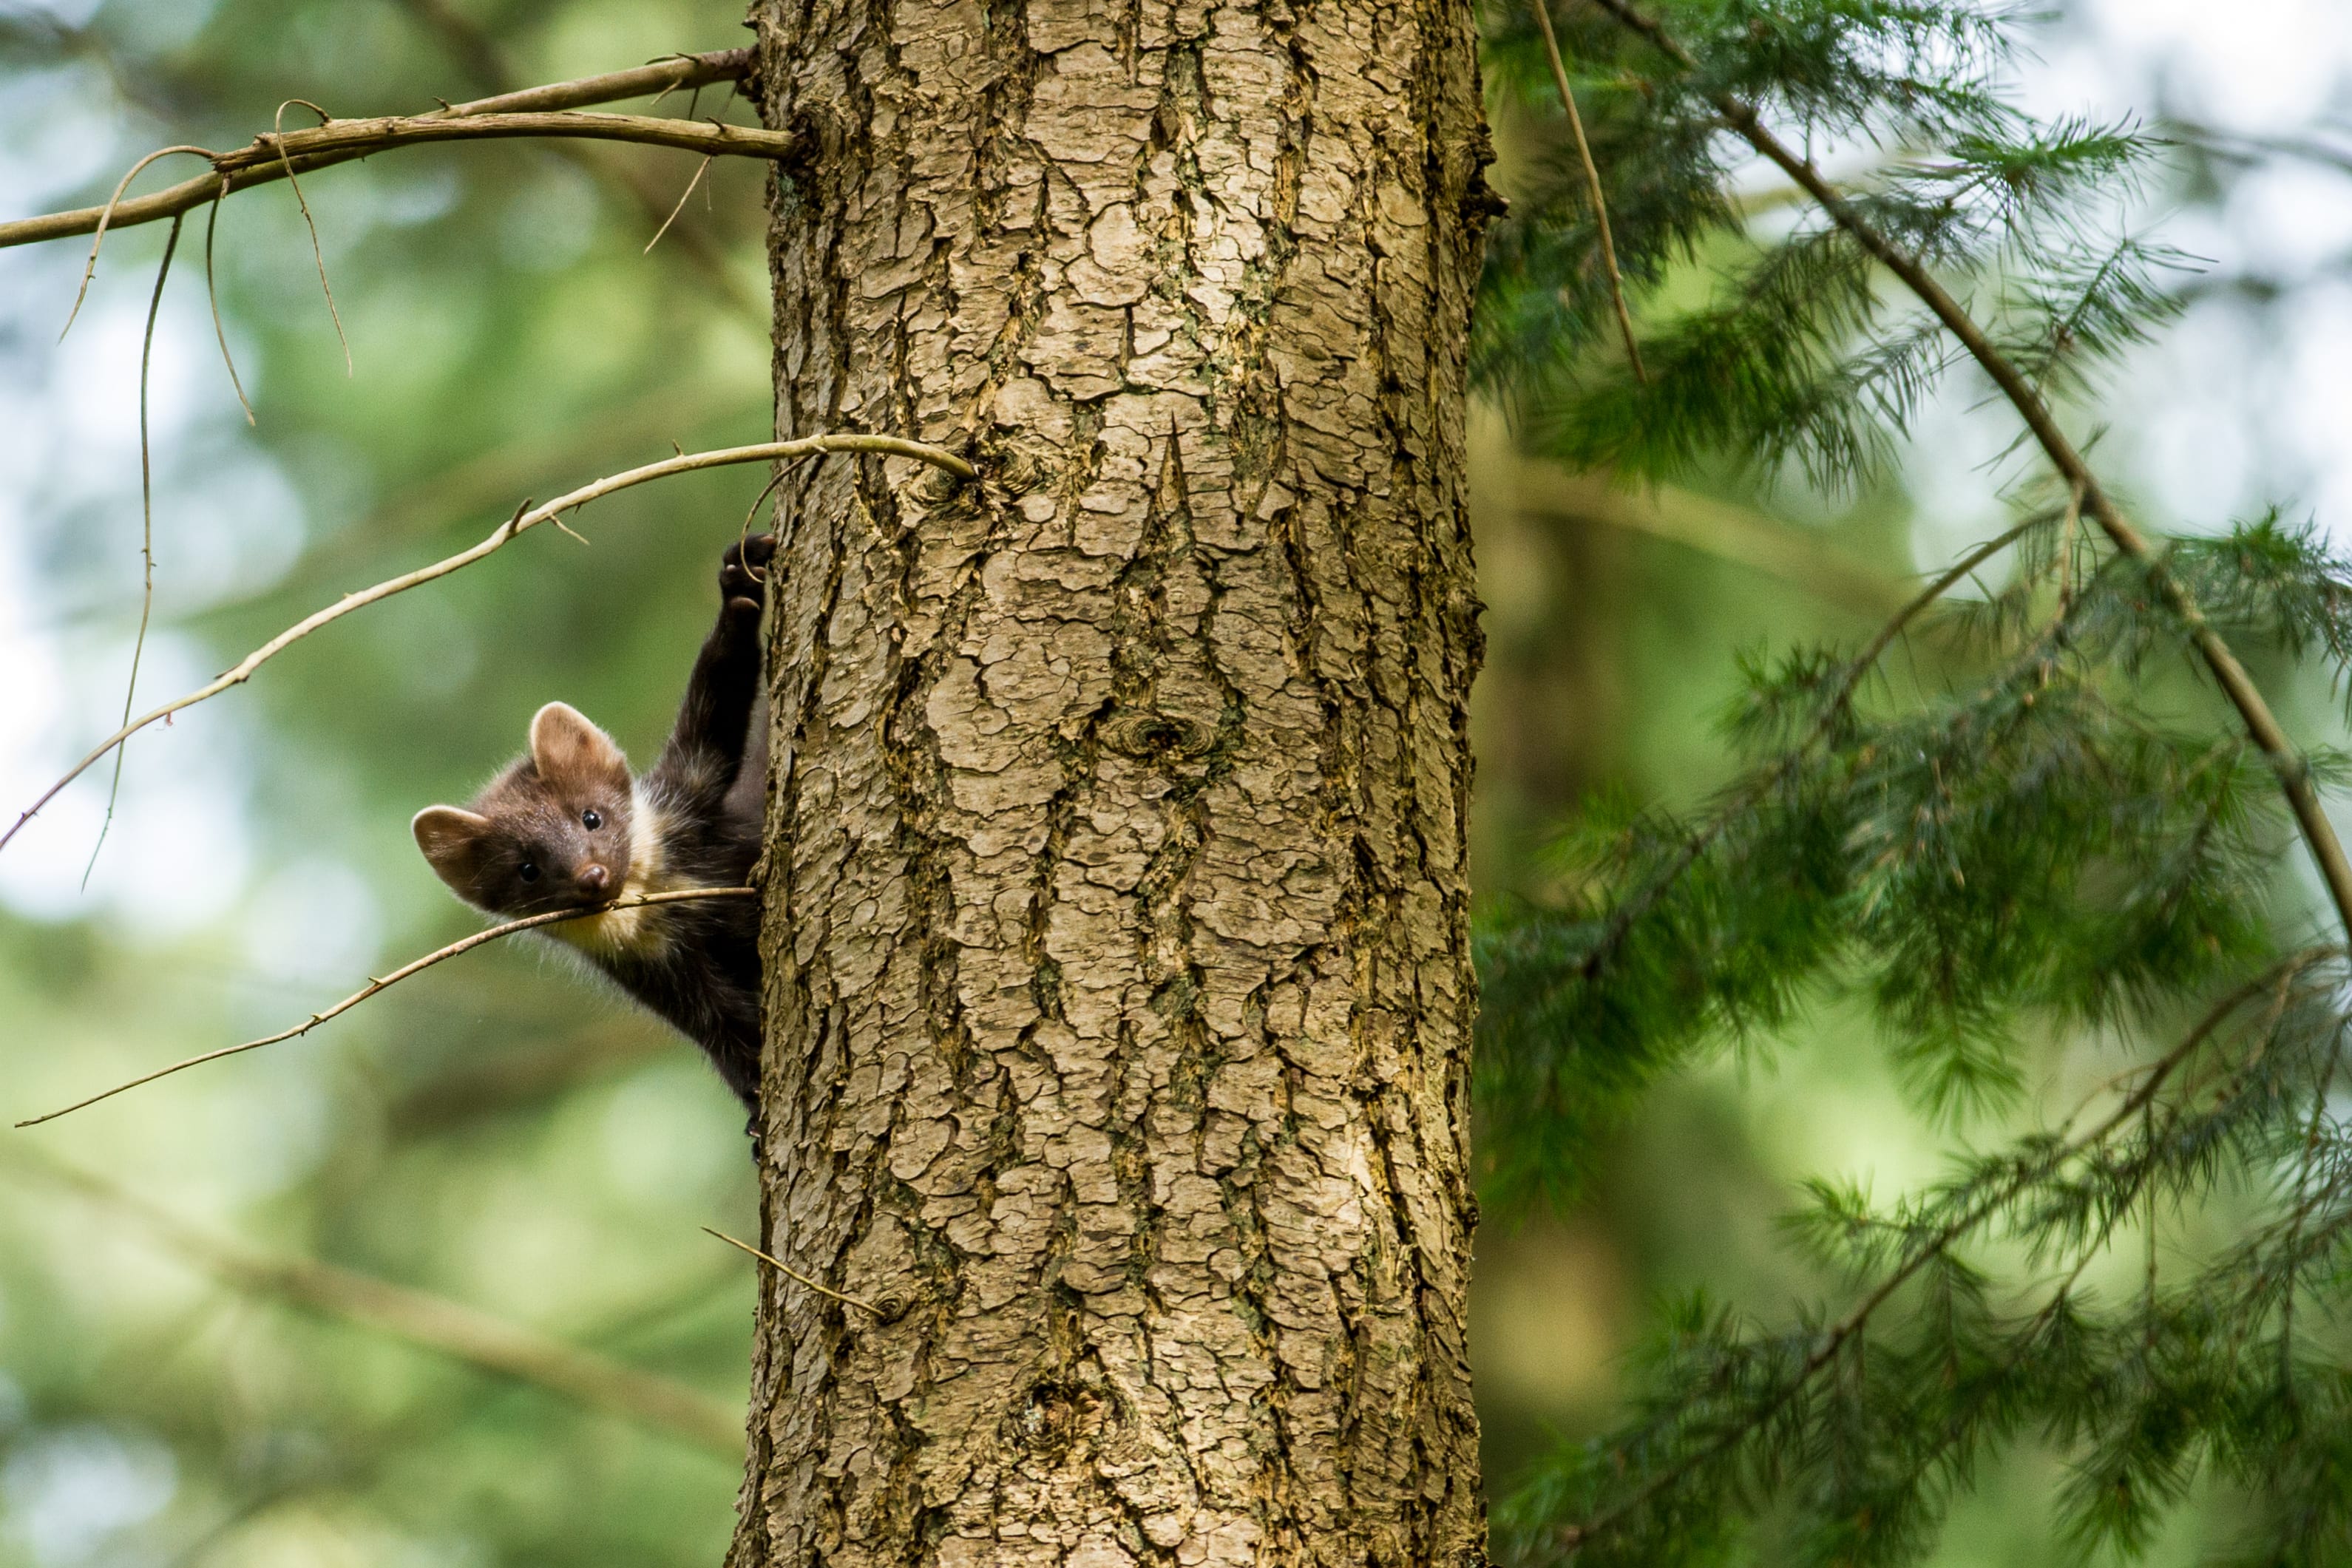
{"points": [[568, 826]]}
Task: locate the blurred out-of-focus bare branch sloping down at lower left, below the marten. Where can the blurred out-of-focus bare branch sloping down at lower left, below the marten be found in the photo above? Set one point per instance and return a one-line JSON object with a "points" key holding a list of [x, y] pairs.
{"points": [[429, 1322]]}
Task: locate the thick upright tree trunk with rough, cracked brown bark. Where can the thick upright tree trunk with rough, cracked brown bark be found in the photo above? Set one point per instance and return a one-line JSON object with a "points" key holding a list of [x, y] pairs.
{"points": [[1116, 902]]}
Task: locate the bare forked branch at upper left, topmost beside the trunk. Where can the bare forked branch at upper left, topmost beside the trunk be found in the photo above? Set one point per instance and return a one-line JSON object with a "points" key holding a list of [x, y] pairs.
{"points": [[537, 112]]}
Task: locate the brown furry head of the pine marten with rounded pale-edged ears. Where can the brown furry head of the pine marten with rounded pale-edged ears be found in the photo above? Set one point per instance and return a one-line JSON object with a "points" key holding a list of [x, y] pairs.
{"points": [[549, 833]]}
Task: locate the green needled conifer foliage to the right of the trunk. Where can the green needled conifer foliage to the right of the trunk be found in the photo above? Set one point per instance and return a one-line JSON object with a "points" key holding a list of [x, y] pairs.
{"points": [[2069, 831]]}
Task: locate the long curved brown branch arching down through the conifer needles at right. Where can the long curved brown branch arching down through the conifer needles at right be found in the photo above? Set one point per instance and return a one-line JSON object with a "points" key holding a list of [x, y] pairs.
{"points": [[2229, 674]]}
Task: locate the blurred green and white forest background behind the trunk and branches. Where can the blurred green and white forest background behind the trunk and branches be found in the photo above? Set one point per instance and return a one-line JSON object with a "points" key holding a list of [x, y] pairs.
{"points": [[500, 1134]]}
